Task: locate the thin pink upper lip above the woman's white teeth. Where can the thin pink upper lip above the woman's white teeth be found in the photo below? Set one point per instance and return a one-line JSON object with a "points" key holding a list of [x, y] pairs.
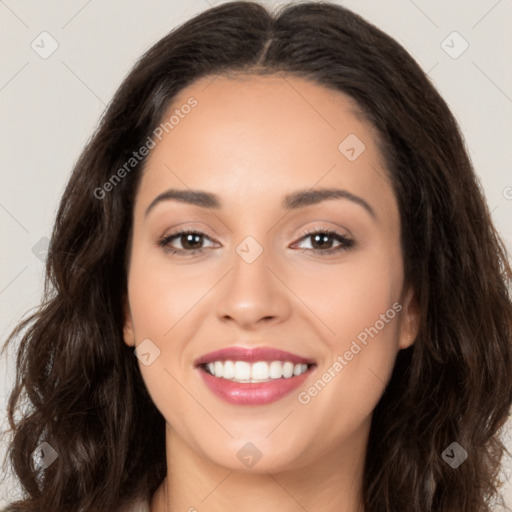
{"points": [[251, 355]]}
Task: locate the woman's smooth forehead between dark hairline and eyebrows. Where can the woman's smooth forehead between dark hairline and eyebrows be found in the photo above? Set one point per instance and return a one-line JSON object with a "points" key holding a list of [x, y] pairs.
{"points": [[260, 135]]}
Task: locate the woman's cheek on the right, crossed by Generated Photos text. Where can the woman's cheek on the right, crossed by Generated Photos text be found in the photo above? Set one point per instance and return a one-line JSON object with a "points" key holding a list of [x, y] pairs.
{"points": [[359, 308]]}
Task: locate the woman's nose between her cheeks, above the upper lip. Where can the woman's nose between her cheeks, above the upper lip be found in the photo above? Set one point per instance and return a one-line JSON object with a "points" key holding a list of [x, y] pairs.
{"points": [[253, 294]]}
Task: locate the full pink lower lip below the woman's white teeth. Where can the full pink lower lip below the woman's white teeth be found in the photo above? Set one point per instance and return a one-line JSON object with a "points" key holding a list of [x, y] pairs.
{"points": [[258, 393]]}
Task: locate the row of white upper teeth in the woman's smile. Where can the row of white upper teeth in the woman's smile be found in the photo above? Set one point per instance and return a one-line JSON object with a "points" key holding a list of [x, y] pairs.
{"points": [[242, 371]]}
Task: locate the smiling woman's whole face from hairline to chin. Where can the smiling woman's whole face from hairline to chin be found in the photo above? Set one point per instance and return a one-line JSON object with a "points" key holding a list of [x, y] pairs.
{"points": [[264, 148]]}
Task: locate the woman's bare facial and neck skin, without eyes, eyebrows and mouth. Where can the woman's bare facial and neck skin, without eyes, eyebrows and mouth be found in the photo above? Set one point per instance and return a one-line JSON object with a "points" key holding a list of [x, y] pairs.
{"points": [[251, 140]]}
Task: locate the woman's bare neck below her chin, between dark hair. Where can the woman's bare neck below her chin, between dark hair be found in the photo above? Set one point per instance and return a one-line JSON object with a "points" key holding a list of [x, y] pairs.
{"points": [[194, 484]]}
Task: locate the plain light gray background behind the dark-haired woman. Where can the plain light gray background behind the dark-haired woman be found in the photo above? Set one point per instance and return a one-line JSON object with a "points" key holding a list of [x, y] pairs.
{"points": [[50, 107]]}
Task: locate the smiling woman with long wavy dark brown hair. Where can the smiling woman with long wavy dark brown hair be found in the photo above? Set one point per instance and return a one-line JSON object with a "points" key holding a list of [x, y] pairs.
{"points": [[277, 215]]}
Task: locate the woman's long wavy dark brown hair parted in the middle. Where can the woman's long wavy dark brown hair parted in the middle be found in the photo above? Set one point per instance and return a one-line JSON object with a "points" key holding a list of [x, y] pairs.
{"points": [[78, 386]]}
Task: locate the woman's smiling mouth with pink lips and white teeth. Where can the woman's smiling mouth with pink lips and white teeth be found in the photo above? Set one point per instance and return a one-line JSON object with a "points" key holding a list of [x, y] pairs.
{"points": [[253, 376]]}
